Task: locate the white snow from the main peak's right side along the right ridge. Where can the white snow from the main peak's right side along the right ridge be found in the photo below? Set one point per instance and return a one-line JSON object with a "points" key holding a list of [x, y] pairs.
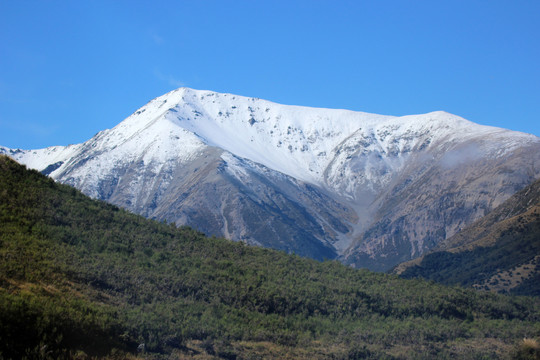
{"points": [[303, 142]]}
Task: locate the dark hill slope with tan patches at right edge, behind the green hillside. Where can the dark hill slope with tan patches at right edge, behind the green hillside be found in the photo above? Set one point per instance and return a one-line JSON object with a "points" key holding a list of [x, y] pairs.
{"points": [[500, 252]]}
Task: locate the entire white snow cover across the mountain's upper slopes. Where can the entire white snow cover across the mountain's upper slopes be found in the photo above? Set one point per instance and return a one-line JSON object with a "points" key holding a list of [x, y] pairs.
{"points": [[310, 144]]}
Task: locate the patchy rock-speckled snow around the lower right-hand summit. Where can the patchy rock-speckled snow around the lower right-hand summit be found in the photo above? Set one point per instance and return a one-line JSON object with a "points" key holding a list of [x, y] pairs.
{"points": [[370, 158]]}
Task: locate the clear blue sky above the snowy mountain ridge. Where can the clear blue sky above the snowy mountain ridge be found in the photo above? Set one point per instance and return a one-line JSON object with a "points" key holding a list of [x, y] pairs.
{"points": [[69, 69]]}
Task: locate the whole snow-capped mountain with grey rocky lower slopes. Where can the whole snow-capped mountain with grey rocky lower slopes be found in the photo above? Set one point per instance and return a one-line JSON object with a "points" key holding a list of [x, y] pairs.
{"points": [[373, 190]]}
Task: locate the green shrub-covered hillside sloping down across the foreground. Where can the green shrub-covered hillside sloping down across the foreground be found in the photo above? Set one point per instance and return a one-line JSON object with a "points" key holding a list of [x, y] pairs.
{"points": [[80, 278]]}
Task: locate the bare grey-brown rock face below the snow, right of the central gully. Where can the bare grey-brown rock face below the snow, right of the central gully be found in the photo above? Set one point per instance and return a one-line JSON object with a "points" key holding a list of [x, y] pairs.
{"points": [[431, 201]]}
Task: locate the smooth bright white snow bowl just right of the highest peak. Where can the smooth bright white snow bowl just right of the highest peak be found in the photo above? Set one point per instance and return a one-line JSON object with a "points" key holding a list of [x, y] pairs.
{"points": [[294, 140]]}
